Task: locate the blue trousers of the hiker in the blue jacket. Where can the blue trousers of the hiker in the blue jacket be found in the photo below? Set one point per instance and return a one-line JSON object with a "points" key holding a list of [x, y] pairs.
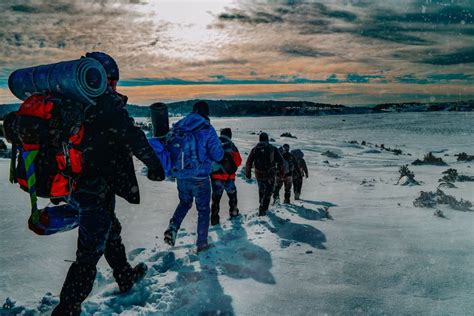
{"points": [[198, 189]]}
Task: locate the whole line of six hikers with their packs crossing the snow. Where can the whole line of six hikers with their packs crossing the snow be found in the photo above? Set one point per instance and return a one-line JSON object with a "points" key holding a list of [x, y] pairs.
{"points": [[80, 156]]}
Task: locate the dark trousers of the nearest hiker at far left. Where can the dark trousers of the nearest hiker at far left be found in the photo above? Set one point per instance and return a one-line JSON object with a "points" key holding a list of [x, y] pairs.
{"points": [[99, 234]]}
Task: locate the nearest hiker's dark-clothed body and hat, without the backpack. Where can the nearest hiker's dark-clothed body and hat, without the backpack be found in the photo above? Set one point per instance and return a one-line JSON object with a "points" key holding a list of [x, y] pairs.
{"points": [[111, 139]]}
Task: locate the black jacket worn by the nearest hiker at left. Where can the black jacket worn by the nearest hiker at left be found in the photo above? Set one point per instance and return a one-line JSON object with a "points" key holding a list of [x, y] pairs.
{"points": [[111, 141]]}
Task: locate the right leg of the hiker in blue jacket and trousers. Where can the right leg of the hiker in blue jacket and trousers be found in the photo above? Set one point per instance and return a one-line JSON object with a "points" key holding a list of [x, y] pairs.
{"points": [[202, 194]]}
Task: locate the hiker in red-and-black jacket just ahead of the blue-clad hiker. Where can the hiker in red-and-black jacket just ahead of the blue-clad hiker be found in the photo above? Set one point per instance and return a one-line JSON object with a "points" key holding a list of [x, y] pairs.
{"points": [[223, 177]]}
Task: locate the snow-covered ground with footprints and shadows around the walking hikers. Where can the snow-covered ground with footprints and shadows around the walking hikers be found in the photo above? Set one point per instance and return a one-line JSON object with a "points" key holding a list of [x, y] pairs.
{"points": [[378, 255]]}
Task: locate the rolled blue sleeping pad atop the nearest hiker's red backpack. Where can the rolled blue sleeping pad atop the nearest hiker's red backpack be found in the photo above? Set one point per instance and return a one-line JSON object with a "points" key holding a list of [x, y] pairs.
{"points": [[81, 80]]}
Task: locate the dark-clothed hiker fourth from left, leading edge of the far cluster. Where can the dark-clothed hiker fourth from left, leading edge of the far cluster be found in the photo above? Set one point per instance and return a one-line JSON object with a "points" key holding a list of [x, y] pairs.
{"points": [[267, 161]]}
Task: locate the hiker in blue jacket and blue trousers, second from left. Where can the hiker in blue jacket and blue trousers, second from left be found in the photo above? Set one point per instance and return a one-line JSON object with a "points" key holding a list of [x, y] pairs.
{"points": [[193, 146]]}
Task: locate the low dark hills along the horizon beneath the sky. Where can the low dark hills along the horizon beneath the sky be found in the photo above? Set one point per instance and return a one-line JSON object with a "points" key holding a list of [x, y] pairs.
{"points": [[225, 108]]}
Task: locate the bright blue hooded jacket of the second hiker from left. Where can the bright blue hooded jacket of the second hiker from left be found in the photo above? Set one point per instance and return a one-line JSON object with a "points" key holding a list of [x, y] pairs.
{"points": [[208, 144]]}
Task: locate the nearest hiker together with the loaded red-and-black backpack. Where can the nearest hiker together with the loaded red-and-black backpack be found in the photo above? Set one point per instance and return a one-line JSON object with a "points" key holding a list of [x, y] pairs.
{"points": [[79, 150]]}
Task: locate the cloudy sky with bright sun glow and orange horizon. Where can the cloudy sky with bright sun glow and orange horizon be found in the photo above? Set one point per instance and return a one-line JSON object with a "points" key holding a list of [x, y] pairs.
{"points": [[353, 52]]}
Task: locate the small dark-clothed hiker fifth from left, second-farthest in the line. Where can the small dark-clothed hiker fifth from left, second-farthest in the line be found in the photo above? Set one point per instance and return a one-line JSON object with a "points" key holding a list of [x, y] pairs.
{"points": [[286, 178]]}
